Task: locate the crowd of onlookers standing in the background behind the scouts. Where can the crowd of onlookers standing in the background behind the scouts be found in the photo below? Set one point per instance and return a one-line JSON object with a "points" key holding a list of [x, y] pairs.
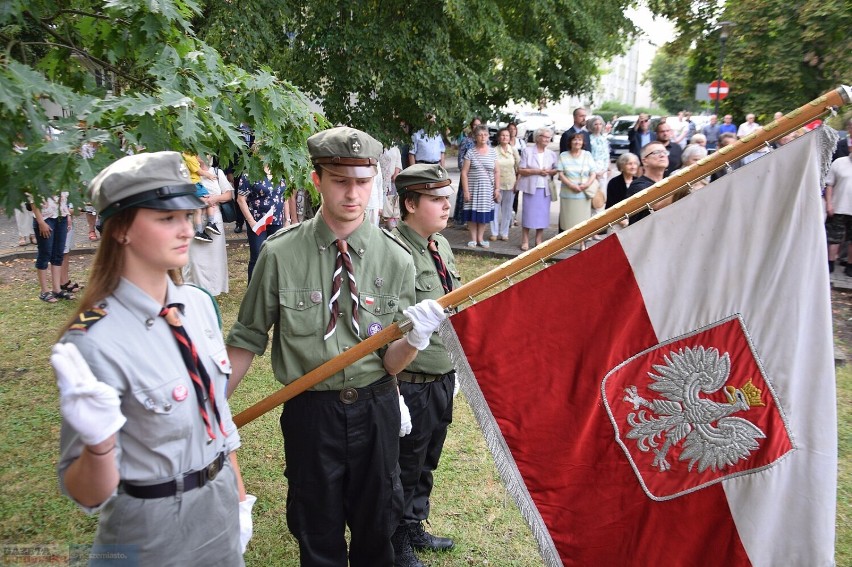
{"points": [[492, 180]]}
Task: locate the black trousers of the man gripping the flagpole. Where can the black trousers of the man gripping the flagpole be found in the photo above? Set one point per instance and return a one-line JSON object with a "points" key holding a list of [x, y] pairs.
{"points": [[342, 469]]}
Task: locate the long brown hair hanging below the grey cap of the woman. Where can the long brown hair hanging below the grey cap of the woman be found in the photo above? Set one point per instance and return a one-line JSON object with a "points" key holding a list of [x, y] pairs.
{"points": [[108, 264]]}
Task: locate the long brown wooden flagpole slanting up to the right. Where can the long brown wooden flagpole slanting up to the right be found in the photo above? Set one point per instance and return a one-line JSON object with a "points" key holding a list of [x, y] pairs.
{"points": [[644, 199]]}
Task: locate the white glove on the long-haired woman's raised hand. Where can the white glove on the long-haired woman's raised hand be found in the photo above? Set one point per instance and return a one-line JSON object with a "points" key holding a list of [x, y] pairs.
{"points": [[90, 407]]}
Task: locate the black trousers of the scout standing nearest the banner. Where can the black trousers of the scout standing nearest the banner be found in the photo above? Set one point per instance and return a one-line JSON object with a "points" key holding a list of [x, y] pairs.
{"points": [[431, 407]]}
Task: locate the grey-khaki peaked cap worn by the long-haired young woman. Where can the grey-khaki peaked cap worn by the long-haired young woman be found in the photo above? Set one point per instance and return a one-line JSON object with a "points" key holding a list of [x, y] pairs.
{"points": [[157, 180]]}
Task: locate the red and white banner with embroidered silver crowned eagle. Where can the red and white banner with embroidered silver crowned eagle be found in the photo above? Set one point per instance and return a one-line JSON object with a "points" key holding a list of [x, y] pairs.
{"points": [[667, 397]]}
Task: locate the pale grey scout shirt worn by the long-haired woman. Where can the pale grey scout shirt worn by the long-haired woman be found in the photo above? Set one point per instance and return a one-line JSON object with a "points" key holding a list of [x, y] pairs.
{"points": [[133, 350]]}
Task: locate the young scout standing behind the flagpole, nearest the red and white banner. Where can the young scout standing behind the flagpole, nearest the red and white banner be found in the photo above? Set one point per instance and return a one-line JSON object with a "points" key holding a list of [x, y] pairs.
{"points": [[427, 384]]}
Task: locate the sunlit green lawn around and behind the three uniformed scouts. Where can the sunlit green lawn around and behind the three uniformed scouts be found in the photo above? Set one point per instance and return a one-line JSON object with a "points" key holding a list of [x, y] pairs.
{"points": [[469, 502]]}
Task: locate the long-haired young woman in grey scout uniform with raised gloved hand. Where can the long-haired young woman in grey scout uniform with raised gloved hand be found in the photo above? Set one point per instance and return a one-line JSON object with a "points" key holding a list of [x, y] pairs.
{"points": [[147, 437]]}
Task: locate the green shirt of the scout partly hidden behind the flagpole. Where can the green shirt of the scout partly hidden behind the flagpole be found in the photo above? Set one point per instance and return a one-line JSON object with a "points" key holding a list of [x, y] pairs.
{"points": [[427, 283]]}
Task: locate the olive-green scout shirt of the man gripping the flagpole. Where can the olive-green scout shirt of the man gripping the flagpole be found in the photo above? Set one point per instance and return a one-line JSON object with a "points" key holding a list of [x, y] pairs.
{"points": [[290, 290]]}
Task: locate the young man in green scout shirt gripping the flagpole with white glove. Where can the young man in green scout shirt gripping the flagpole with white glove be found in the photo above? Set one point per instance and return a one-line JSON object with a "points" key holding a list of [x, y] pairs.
{"points": [[325, 285]]}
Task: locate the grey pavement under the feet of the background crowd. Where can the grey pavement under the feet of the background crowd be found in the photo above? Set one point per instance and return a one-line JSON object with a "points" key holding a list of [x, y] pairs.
{"points": [[9, 249]]}
